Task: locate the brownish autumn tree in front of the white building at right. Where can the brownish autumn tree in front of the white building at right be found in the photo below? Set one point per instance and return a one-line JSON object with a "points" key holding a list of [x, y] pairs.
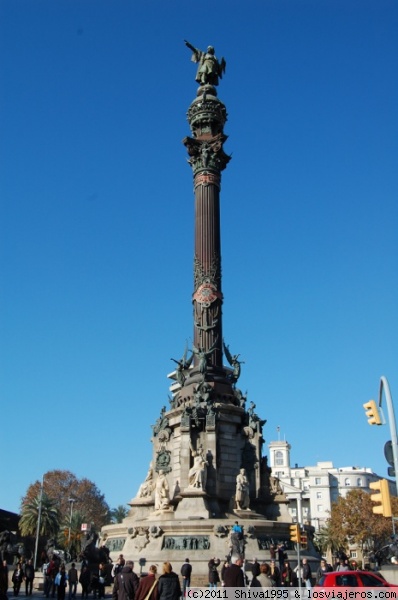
{"points": [[352, 521]]}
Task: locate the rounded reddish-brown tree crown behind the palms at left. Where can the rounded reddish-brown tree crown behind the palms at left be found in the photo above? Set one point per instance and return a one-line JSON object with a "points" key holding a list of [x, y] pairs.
{"points": [[61, 486]]}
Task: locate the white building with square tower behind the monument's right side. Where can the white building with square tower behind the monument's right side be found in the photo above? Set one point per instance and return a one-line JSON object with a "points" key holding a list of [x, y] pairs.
{"points": [[312, 490]]}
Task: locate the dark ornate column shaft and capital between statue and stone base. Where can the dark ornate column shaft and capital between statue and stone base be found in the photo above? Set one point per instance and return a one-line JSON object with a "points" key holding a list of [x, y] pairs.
{"points": [[206, 117]]}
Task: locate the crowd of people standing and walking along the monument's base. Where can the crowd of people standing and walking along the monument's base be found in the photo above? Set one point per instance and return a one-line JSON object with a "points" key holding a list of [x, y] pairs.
{"points": [[60, 581]]}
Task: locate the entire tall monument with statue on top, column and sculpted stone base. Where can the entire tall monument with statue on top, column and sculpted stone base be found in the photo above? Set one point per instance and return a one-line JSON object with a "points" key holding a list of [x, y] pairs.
{"points": [[207, 469]]}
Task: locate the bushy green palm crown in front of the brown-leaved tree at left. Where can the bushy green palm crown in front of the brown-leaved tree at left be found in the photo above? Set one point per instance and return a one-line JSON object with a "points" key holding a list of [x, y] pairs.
{"points": [[49, 517]]}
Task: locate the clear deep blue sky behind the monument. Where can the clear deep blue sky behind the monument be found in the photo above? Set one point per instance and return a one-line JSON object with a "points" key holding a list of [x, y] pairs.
{"points": [[97, 225]]}
